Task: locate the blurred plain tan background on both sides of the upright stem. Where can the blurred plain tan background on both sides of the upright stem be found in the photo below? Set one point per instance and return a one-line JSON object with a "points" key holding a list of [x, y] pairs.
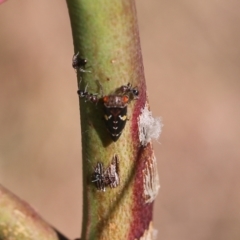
{"points": [[191, 52]]}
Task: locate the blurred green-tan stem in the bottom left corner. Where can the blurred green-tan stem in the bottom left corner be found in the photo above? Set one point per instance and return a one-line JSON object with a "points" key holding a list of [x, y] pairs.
{"points": [[19, 221]]}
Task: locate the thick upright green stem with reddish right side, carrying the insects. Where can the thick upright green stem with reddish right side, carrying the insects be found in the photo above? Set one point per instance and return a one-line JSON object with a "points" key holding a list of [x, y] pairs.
{"points": [[106, 33]]}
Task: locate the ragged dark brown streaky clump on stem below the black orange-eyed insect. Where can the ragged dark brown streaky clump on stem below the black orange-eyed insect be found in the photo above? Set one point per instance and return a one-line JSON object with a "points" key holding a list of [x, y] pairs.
{"points": [[108, 177]]}
